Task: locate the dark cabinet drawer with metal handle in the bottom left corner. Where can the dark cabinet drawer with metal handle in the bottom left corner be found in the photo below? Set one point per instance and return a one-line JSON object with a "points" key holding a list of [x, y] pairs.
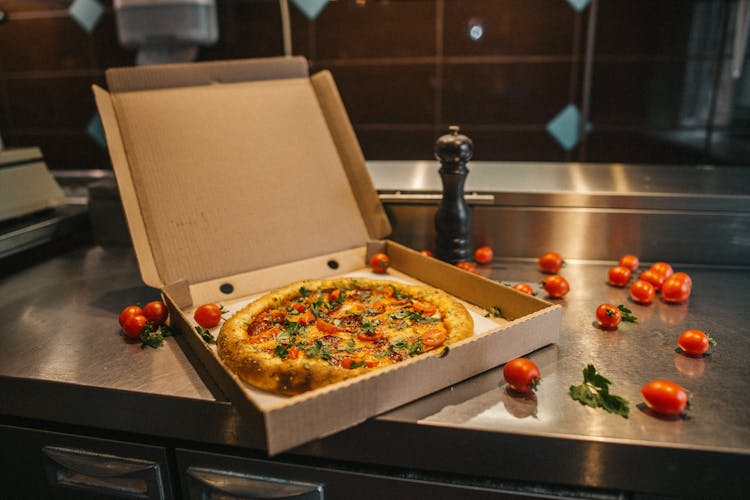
{"points": [[43, 464]]}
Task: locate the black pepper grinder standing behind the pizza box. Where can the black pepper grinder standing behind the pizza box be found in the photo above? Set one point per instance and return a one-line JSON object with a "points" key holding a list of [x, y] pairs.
{"points": [[453, 218]]}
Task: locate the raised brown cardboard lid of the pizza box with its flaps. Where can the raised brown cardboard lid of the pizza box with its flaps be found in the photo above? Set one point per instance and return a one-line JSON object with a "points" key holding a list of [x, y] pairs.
{"points": [[228, 167]]}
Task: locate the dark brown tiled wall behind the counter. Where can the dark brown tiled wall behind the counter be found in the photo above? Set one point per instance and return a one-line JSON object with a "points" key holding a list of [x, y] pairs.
{"points": [[408, 68]]}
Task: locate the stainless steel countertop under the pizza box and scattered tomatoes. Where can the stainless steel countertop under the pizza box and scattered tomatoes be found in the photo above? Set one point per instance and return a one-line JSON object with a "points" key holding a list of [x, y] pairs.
{"points": [[63, 359]]}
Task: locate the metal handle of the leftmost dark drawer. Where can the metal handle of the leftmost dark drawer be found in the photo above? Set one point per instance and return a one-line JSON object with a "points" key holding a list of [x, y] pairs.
{"points": [[100, 473]]}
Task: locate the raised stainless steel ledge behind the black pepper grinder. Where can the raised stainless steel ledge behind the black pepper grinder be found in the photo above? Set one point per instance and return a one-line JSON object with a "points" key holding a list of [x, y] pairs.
{"points": [[612, 185]]}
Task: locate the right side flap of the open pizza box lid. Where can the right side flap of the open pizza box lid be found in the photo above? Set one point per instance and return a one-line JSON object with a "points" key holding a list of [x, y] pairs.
{"points": [[334, 111]]}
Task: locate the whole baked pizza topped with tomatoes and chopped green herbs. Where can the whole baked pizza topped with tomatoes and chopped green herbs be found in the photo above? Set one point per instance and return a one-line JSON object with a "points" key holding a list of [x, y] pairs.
{"points": [[317, 332]]}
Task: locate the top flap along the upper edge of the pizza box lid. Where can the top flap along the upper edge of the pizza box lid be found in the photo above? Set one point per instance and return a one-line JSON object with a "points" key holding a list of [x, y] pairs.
{"points": [[186, 75]]}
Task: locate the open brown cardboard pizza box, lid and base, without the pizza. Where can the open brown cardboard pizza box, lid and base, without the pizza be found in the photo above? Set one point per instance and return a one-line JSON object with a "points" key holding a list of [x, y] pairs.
{"points": [[239, 177]]}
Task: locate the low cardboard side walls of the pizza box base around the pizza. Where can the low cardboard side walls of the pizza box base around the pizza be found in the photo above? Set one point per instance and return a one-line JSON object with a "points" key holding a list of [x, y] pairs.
{"points": [[318, 413]]}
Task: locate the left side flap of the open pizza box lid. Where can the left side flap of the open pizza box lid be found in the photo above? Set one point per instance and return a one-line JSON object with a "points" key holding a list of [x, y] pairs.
{"points": [[128, 194]]}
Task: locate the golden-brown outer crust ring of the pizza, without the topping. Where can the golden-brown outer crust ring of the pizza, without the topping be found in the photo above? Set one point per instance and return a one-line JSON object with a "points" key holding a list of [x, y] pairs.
{"points": [[293, 376]]}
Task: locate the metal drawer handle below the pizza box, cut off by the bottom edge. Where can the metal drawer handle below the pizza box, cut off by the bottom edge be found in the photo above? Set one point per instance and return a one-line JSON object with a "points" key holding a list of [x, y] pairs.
{"points": [[248, 486]]}
